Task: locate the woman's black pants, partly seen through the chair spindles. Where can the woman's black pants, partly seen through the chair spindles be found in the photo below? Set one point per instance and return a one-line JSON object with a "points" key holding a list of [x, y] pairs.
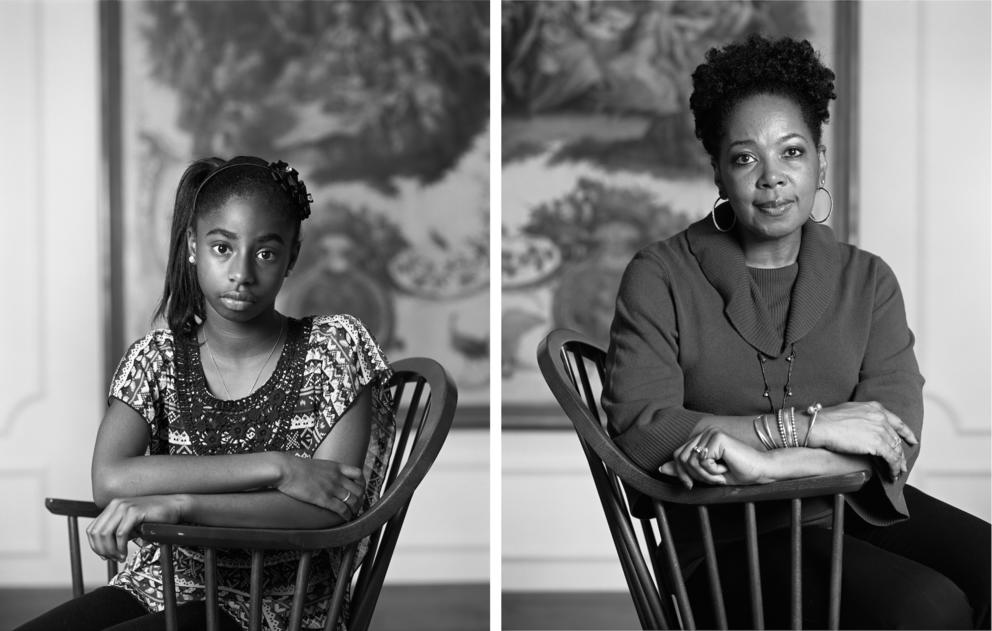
{"points": [[928, 572]]}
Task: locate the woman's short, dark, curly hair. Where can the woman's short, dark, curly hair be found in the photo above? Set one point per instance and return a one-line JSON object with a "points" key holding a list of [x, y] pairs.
{"points": [[784, 67]]}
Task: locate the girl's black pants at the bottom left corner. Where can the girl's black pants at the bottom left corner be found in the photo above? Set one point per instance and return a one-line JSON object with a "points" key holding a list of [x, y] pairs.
{"points": [[113, 609]]}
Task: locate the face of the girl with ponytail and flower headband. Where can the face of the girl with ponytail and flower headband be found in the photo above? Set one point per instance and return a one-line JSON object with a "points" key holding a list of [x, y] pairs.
{"points": [[243, 252]]}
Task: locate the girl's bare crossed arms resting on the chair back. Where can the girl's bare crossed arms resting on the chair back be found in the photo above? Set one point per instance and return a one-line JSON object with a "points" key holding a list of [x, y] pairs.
{"points": [[265, 490]]}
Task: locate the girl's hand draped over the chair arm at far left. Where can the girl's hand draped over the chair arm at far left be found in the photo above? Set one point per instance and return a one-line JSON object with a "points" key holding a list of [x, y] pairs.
{"points": [[109, 533]]}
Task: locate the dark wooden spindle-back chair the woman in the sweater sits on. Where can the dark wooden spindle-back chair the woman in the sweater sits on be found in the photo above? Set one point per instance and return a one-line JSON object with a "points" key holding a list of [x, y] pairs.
{"points": [[573, 367]]}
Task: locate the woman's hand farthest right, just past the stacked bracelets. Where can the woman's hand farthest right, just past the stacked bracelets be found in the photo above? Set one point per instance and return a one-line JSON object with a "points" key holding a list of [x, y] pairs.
{"points": [[864, 428]]}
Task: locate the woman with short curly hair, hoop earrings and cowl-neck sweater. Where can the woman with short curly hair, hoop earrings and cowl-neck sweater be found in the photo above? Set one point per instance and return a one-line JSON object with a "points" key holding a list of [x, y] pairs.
{"points": [[755, 347]]}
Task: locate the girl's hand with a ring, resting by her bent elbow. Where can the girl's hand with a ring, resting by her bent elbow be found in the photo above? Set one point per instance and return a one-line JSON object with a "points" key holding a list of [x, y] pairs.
{"points": [[331, 485]]}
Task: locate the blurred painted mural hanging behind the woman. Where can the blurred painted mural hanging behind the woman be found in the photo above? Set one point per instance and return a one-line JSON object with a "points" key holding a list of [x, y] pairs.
{"points": [[599, 155]]}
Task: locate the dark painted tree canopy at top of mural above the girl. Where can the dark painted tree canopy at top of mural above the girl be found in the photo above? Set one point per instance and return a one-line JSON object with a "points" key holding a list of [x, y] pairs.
{"points": [[375, 89]]}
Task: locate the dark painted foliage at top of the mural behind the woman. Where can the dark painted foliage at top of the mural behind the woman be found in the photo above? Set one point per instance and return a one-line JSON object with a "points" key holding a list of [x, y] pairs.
{"points": [[628, 59]]}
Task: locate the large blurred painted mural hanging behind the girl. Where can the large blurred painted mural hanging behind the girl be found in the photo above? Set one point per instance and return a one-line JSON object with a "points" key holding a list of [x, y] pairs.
{"points": [[383, 107]]}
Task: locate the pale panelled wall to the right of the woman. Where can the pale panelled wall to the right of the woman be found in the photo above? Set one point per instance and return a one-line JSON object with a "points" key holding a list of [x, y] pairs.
{"points": [[925, 184]]}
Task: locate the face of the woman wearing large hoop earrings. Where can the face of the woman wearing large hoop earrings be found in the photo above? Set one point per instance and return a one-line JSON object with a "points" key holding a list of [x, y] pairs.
{"points": [[768, 167]]}
